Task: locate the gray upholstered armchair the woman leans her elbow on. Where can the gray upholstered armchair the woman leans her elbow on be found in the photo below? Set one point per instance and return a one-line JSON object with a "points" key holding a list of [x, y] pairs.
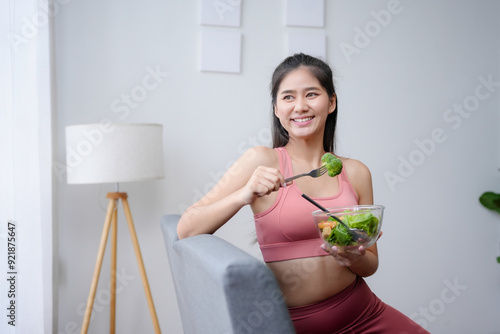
{"points": [[222, 289]]}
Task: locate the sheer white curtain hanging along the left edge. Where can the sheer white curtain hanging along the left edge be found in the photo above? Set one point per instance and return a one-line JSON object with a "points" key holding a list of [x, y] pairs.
{"points": [[26, 192]]}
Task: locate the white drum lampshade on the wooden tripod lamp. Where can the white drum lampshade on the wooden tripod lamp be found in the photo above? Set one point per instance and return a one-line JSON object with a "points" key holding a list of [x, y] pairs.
{"points": [[112, 153]]}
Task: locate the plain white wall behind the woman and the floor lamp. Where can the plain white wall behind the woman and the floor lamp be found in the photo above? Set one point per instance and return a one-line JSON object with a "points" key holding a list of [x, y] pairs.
{"points": [[394, 92]]}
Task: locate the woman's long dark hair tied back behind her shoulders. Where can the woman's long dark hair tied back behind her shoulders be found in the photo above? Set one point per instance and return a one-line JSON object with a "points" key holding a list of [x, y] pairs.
{"points": [[323, 73]]}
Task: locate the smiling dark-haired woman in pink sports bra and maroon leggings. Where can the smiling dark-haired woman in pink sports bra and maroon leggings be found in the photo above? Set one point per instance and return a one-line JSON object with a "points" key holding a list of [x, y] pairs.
{"points": [[324, 289]]}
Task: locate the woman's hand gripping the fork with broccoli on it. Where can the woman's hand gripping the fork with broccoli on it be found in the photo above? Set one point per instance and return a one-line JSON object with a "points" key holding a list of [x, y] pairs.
{"points": [[263, 181]]}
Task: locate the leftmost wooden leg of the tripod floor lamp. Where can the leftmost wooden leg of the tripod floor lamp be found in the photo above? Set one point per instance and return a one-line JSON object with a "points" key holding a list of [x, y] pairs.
{"points": [[97, 269]]}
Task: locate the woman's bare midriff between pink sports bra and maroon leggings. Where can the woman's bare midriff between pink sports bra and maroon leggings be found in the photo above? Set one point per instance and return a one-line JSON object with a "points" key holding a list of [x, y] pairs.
{"points": [[310, 280]]}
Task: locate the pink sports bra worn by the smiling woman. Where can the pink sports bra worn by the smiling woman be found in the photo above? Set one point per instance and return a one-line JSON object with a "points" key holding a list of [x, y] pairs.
{"points": [[286, 230]]}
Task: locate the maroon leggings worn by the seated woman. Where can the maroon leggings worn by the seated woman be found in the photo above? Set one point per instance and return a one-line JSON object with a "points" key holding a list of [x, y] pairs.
{"points": [[355, 309]]}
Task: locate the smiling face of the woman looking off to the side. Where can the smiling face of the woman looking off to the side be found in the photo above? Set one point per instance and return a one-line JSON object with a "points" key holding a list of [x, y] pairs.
{"points": [[302, 104]]}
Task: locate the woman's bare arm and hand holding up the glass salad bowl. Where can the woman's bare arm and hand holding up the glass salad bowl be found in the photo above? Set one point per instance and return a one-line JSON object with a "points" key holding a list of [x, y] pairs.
{"points": [[366, 263]]}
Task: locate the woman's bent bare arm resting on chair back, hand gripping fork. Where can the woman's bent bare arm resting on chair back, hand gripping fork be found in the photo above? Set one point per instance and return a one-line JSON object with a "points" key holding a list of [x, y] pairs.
{"points": [[245, 181]]}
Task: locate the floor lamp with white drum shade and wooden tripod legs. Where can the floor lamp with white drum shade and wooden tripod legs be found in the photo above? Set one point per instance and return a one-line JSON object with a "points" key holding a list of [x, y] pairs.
{"points": [[114, 153]]}
